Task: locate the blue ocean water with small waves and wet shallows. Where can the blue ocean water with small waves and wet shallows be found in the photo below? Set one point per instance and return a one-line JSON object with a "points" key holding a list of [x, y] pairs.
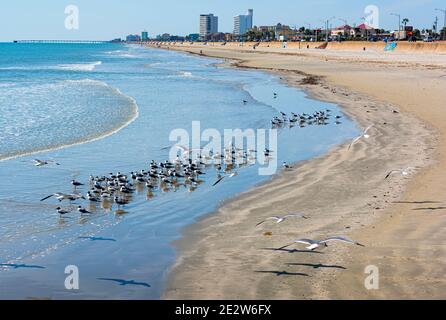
{"points": [[97, 109]]}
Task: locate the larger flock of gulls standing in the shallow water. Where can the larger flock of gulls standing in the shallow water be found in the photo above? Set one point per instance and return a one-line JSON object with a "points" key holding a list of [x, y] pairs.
{"points": [[186, 171]]}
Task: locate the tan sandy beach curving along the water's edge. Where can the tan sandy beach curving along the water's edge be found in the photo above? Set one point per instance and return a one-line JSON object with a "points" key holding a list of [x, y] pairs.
{"points": [[401, 220]]}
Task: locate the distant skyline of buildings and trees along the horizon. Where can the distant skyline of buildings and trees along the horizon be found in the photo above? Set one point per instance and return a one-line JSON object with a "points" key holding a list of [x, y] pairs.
{"points": [[244, 30]]}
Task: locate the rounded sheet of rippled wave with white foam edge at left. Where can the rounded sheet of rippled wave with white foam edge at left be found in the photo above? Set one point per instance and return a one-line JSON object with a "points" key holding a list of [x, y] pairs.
{"points": [[30, 116]]}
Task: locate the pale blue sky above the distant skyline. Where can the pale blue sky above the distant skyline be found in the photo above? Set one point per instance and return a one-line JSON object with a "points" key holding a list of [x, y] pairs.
{"points": [[106, 19]]}
